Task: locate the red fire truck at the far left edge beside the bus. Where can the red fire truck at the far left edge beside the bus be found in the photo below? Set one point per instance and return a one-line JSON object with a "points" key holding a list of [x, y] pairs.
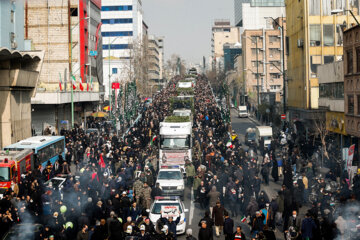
{"points": [[13, 164]]}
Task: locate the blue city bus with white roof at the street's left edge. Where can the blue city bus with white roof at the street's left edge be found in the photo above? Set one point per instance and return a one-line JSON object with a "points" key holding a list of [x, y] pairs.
{"points": [[45, 148]]}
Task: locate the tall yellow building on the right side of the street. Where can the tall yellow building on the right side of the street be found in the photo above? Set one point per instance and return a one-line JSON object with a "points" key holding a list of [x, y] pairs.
{"points": [[314, 37]]}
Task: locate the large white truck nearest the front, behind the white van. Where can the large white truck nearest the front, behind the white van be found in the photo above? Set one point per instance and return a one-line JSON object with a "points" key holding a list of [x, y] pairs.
{"points": [[175, 143]]}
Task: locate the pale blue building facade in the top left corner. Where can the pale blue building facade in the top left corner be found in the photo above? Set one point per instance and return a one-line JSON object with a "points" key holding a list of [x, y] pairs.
{"points": [[12, 24]]}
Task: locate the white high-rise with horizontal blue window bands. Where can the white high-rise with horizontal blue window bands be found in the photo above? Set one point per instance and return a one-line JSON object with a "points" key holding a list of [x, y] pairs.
{"points": [[123, 32]]}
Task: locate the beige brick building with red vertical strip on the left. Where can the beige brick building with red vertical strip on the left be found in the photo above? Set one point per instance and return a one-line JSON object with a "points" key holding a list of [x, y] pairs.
{"points": [[67, 31]]}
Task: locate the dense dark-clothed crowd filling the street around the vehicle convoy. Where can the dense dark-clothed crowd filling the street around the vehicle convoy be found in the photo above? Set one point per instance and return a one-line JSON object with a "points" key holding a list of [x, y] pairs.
{"points": [[105, 198]]}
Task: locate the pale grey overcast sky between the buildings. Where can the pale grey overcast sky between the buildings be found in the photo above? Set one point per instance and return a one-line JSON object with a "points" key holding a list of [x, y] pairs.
{"points": [[186, 24]]}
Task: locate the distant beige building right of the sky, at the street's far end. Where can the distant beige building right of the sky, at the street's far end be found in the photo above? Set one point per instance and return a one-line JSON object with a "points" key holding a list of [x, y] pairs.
{"points": [[222, 33]]}
